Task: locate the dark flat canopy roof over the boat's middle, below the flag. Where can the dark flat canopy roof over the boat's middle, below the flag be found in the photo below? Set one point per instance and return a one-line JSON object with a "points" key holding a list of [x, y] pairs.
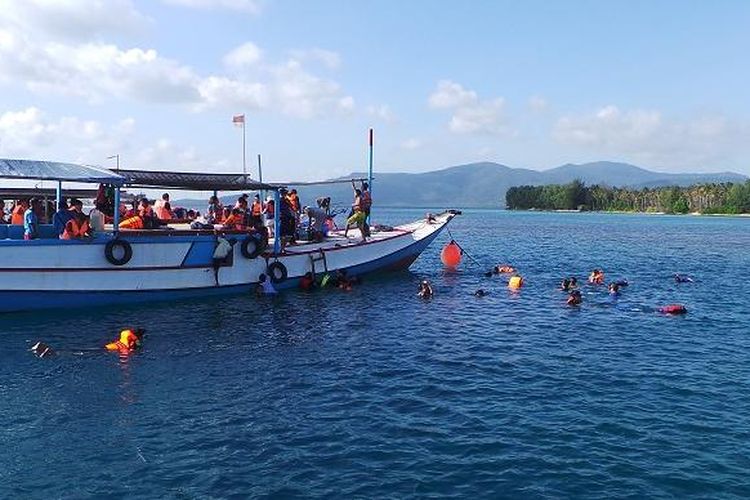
{"points": [[192, 181]]}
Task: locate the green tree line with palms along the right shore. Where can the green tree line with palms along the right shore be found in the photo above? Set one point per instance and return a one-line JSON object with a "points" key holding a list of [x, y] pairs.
{"points": [[716, 198]]}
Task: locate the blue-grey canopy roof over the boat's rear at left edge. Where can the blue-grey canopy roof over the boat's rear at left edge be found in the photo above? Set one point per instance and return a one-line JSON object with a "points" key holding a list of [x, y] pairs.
{"points": [[56, 171]]}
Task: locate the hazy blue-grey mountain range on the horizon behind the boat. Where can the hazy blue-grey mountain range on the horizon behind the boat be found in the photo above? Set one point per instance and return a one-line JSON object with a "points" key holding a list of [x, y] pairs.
{"points": [[483, 185]]}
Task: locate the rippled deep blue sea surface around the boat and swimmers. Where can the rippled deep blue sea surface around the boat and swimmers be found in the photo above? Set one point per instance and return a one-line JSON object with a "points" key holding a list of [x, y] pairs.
{"points": [[374, 393]]}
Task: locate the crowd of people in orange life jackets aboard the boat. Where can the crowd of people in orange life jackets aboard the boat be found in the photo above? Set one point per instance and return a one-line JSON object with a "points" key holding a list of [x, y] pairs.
{"points": [[309, 222]]}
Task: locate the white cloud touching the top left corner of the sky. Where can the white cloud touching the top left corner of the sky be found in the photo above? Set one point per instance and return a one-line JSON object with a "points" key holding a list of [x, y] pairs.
{"points": [[72, 19]]}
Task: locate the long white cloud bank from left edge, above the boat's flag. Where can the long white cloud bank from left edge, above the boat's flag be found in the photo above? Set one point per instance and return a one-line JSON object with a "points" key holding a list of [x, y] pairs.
{"points": [[98, 71]]}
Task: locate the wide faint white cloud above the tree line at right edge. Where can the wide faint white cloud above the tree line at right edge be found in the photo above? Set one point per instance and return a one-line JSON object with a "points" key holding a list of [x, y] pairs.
{"points": [[648, 136]]}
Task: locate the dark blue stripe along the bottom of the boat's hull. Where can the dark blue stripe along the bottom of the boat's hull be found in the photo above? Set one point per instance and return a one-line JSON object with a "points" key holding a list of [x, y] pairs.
{"points": [[28, 300]]}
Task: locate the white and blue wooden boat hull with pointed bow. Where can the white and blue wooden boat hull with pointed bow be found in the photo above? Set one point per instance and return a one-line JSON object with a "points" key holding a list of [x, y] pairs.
{"points": [[176, 268]]}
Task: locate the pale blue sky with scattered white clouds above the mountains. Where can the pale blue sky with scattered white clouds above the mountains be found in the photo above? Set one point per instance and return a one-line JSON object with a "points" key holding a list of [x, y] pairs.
{"points": [[530, 84]]}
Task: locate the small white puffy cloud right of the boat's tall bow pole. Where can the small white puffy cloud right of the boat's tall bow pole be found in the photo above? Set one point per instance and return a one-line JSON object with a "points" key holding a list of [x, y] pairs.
{"points": [[471, 115]]}
